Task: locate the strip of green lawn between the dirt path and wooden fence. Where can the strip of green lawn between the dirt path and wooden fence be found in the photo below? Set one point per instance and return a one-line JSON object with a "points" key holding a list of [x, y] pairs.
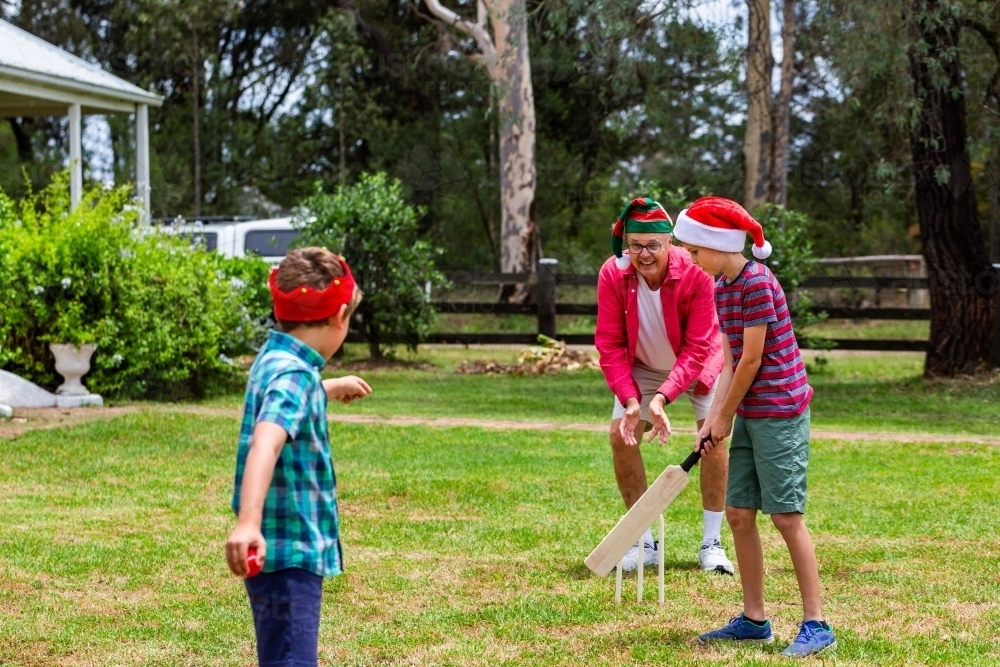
{"points": [[853, 391]]}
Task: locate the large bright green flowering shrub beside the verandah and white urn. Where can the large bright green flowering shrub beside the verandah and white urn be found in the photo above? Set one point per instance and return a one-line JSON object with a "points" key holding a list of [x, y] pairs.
{"points": [[166, 317]]}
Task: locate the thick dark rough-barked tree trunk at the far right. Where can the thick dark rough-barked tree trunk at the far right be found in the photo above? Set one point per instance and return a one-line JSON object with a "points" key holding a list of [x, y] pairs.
{"points": [[962, 291]]}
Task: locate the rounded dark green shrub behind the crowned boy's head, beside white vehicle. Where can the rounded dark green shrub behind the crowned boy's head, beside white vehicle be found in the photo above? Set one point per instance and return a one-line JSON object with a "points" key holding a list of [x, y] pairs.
{"points": [[371, 224]]}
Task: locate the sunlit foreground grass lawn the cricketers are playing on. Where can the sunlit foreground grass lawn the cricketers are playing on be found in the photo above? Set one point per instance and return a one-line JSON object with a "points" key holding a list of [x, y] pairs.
{"points": [[466, 547]]}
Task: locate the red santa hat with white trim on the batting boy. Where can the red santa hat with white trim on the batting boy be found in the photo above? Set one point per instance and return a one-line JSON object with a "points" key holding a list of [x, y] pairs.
{"points": [[720, 224]]}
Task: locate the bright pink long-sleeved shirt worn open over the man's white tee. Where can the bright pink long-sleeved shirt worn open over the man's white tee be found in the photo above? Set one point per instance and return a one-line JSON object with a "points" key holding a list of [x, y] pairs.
{"points": [[692, 326]]}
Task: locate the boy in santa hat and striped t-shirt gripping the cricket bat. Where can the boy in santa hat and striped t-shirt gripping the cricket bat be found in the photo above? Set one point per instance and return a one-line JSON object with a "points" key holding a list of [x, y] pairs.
{"points": [[764, 385]]}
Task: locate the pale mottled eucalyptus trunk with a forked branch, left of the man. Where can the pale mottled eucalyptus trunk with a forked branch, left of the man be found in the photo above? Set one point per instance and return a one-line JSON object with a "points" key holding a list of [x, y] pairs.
{"points": [[505, 56]]}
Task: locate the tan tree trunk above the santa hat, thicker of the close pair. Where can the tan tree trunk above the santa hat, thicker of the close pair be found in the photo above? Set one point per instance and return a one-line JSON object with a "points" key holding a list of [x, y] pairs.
{"points": [[757, 142]]}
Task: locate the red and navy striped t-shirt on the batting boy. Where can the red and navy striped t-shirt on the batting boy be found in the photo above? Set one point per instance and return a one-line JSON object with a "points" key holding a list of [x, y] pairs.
{"points": [[780, 388]]}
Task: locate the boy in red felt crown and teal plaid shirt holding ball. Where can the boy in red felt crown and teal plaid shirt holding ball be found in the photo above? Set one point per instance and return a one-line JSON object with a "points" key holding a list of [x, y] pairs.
{"points": [[284, 495]]}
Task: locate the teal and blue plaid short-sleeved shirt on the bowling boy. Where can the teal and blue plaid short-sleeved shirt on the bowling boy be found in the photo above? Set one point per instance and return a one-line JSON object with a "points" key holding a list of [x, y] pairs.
{"points": [[300, 520]]}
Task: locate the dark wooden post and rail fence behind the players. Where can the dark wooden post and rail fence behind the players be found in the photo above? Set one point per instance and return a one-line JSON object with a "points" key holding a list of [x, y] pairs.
{"points": [[546, 308]]}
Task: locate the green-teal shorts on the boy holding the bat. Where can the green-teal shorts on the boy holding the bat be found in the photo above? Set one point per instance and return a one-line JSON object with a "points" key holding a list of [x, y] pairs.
{"points": [[768, 458]]}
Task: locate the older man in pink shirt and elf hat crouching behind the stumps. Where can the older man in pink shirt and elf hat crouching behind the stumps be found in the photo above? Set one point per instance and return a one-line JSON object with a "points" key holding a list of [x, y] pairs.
{"points": [[658, 337]]}
